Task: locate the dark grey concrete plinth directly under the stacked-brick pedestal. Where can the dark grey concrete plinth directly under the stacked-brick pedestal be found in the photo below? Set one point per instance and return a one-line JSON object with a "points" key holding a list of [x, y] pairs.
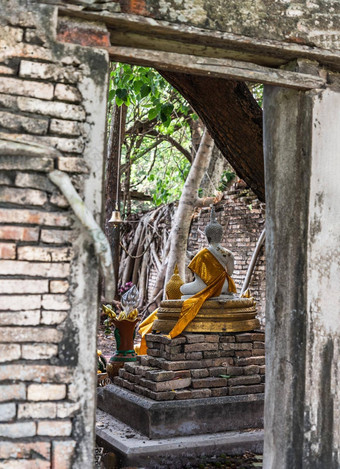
{"points": [[182, 418]]}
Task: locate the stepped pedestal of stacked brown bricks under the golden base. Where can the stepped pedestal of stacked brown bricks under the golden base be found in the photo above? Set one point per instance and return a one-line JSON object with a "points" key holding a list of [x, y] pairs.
{"points": [[195, 366]]}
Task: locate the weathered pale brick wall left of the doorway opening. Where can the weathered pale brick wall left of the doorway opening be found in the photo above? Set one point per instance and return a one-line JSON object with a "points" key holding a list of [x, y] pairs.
{"points": [[52, 114]]}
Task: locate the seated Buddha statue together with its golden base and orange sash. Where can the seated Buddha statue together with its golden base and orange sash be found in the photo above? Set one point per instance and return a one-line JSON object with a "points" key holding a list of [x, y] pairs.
{"points": [[210, 302]]}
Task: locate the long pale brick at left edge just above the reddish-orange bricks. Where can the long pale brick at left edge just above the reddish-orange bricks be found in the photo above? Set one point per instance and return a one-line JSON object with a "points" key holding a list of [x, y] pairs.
{"points": [[35, 217]]}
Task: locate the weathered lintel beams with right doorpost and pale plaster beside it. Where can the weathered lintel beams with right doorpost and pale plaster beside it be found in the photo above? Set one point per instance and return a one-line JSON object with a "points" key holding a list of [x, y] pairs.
{"points": [[302, 170]]}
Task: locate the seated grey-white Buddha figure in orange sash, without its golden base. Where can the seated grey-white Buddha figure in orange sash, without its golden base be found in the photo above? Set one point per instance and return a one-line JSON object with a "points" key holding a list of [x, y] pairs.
{"points": [[201, 263]]}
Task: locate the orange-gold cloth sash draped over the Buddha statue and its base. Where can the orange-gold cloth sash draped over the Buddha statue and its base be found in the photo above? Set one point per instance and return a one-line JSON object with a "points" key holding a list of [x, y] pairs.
{"points": [[213, 274]]}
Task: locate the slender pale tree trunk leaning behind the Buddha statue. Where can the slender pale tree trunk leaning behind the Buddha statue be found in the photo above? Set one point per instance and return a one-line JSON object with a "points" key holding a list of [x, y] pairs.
{"points": [[181, 224]]}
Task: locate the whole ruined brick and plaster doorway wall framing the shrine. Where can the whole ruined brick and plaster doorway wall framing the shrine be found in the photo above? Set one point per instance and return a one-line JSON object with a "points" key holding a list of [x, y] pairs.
{"points": [[54, 59]]}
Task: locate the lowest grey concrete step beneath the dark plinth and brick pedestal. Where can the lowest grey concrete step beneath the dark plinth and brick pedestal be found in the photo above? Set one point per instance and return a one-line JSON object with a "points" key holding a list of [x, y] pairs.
{"points": [[135, 449]]}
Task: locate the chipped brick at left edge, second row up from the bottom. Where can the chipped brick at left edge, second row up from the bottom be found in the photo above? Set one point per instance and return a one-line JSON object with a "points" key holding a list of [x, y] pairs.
{"points": [[17, 450]]}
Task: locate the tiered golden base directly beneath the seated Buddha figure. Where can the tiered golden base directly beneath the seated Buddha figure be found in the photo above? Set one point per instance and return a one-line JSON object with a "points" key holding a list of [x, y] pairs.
{"points": [[216, 315]]}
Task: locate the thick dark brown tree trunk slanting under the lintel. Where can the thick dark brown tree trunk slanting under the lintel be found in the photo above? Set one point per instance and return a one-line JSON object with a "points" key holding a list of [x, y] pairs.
{"points": [[233, 118]]}
